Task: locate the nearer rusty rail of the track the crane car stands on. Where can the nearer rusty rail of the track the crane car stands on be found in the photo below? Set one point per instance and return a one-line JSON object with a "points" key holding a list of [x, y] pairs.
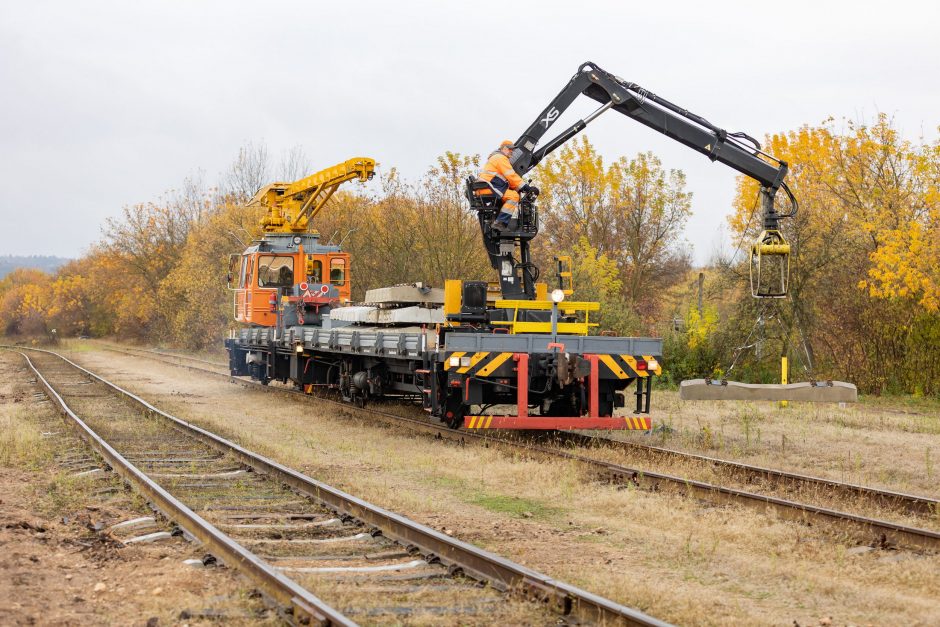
{"points": [[865, 529]]}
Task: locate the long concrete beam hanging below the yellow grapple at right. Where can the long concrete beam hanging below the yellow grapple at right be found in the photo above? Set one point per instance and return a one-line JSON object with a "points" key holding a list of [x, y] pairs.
{"points": [[814, 392]]}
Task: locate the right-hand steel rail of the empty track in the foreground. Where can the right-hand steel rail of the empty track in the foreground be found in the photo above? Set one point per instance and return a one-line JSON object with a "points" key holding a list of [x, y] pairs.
{"points": [[474, 561]]}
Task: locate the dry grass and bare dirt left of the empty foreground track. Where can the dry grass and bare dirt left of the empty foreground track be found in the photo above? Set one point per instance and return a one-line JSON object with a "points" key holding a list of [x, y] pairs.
{"points": [[55, 576]]}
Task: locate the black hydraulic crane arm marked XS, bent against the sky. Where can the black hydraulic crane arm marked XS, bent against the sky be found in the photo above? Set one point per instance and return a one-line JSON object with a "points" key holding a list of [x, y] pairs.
{"points": [[737, 150]]}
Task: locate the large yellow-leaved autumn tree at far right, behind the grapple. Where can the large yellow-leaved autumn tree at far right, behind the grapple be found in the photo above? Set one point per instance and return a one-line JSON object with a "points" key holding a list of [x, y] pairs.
{"points": [[858, 189]]}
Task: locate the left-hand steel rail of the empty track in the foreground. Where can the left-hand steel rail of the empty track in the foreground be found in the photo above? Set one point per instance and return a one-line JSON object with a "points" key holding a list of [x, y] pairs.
{"points": [[302, 603]]}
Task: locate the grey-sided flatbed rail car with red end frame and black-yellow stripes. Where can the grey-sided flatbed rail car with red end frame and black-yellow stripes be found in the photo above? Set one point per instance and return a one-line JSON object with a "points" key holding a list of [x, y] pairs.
{"points": [[574, 382]]}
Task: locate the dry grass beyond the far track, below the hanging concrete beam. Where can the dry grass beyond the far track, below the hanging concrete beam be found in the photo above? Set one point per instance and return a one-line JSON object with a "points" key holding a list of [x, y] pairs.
{"points": [[865, 444]]}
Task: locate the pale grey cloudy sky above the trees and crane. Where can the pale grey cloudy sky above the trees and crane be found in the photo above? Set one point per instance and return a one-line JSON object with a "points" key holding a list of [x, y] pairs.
{"points": [[110, 103]]}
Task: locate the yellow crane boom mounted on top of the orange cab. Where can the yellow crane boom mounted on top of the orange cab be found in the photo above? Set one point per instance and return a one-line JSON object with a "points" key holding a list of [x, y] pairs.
{"points": [[291, 206]]}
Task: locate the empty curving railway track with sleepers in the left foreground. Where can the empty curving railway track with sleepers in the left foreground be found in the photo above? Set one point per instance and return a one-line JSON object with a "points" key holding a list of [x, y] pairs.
{"points": [[322, 555]]}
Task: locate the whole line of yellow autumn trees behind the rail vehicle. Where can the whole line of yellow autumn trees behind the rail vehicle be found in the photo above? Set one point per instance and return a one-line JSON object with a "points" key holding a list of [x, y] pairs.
{"points": [[864, 301]]}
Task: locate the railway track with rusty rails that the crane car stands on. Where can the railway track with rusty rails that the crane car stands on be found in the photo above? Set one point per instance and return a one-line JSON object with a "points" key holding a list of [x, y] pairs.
{"points": [[865, 529]]}
